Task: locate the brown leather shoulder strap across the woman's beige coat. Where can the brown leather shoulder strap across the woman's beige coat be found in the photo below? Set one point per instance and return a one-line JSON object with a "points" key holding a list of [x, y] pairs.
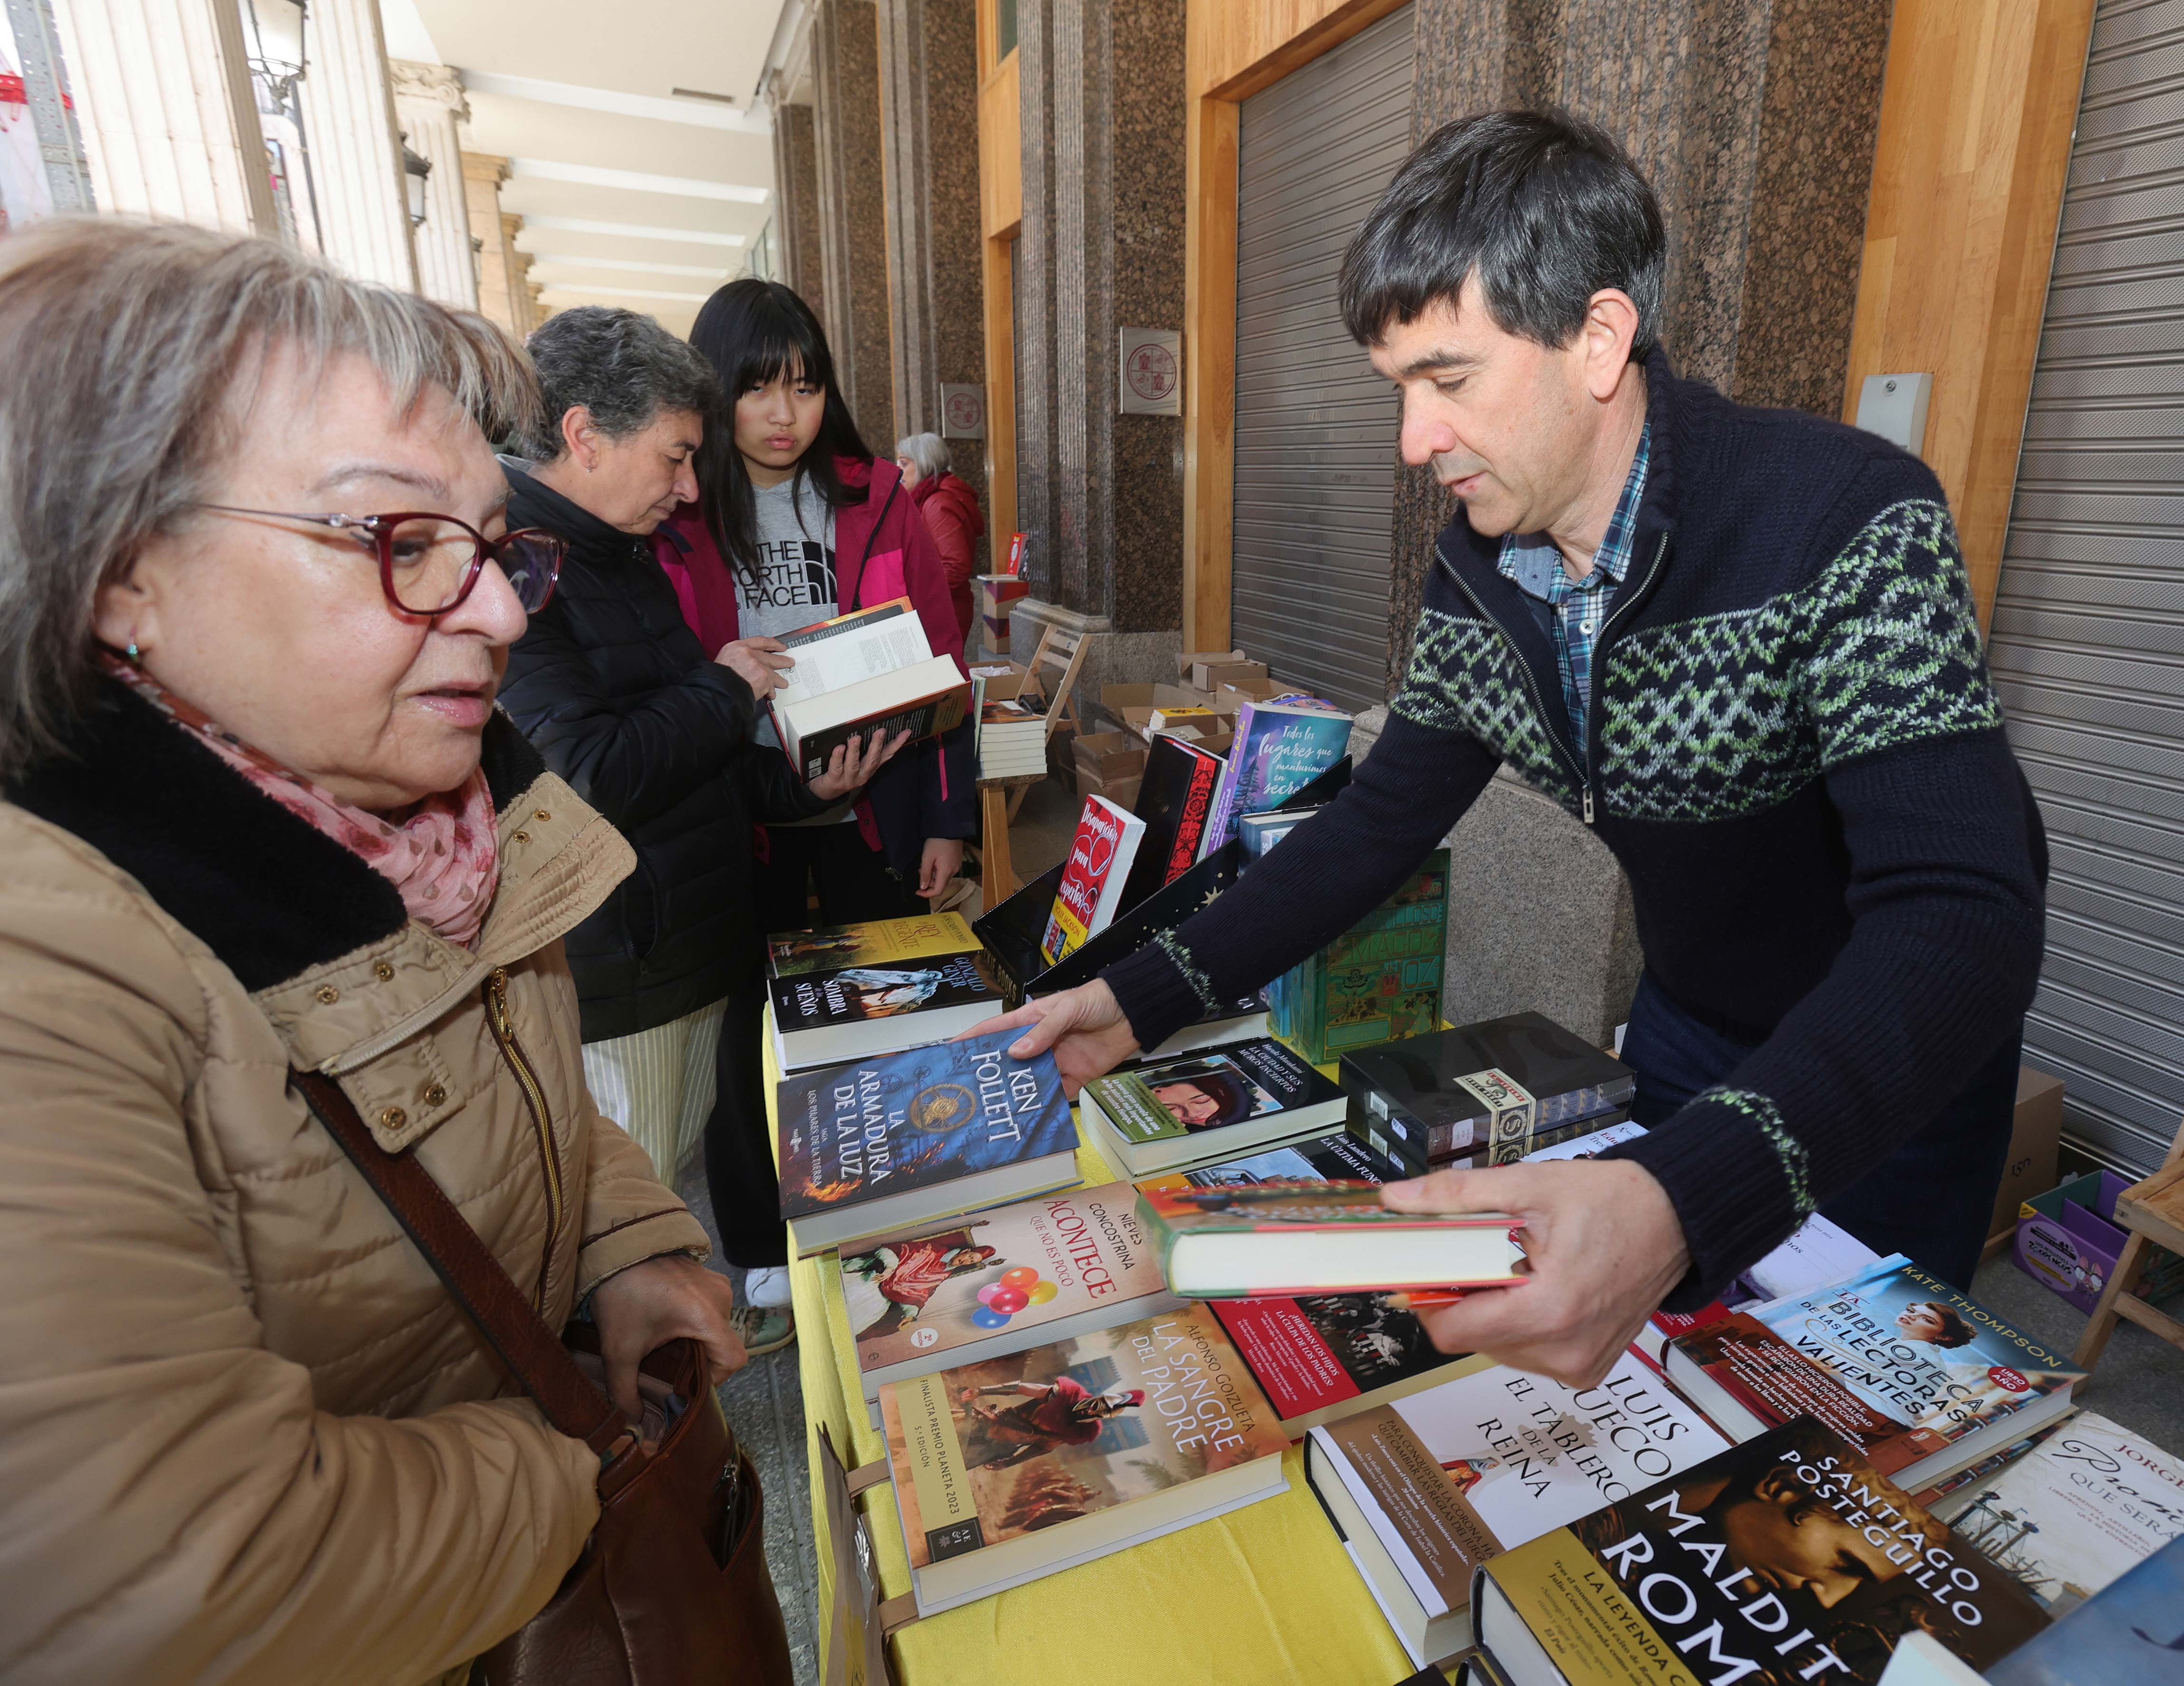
{"points": [[471, 1274]]}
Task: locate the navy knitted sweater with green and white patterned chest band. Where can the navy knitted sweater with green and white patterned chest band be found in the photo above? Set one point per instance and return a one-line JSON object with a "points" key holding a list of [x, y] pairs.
{"points": [[1799, 761]]}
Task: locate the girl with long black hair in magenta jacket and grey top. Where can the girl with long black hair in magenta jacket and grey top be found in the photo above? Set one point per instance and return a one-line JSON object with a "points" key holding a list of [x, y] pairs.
{"points": [[798, 523]]}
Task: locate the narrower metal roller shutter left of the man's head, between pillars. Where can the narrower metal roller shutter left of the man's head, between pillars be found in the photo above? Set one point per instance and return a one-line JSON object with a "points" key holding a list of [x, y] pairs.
{"points": [[1316, 427]]}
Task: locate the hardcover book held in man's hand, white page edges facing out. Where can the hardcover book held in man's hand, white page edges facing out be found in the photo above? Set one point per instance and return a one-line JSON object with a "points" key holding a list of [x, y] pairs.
{"points": [[1320, 1237]]}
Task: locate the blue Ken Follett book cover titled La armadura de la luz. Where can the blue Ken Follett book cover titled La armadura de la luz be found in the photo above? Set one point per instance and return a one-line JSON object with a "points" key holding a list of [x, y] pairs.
{"points": [[914, 1121]]}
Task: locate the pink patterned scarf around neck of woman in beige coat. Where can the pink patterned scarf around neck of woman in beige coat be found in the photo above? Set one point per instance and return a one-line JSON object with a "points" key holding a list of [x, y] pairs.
{"points": [[442, 857]]}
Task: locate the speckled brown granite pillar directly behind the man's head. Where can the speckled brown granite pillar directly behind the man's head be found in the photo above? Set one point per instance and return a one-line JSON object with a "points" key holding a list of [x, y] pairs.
{"points": [[1755, 119]]}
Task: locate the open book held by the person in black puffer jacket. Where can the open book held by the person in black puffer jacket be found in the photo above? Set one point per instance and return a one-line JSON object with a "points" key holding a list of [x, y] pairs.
{"points": [[866, 672]]}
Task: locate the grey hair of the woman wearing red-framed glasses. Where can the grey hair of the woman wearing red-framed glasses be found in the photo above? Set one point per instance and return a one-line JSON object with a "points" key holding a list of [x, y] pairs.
{"points": [[128, 348]]}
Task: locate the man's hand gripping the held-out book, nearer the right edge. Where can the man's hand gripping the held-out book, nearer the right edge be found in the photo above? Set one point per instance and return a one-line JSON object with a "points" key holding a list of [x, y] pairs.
{"points": [[1604, 1250]]}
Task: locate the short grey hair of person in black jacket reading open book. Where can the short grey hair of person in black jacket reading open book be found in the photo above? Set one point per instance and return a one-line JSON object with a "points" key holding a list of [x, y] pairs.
{"points": [[621, 366]]}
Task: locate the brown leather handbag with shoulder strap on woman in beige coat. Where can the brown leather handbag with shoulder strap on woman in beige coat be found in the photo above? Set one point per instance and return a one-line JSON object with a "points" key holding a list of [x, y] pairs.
{"points": [[672, 1587]]}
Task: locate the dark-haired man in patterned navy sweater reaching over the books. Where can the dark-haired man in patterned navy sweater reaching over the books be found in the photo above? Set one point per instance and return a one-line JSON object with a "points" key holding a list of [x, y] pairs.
{"points": [[1735, 643]]}
